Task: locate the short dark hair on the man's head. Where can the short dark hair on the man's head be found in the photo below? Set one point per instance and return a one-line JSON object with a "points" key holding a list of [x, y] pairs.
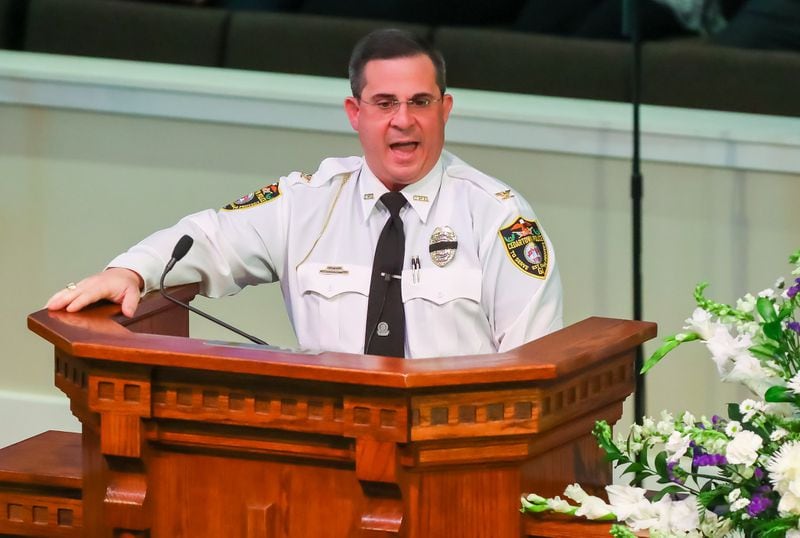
{"points": [[387, 44]]}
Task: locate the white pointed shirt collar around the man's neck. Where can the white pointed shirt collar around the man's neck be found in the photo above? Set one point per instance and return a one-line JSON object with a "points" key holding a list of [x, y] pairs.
{"points": [[420, 195]]}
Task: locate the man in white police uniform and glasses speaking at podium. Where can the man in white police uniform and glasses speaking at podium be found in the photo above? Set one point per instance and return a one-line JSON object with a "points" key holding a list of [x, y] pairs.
{"points": [[407, 251]]}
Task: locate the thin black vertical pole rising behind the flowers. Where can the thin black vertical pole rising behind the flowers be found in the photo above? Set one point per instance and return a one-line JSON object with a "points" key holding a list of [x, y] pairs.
{"points": [[632, 27]]}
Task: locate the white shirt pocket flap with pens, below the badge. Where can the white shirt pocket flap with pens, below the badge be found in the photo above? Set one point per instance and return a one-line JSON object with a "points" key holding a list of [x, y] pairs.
{"points": [[442, 286]]}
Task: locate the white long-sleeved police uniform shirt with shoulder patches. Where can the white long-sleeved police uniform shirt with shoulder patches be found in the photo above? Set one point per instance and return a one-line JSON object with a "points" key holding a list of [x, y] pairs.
{"points": [[318, 236]]}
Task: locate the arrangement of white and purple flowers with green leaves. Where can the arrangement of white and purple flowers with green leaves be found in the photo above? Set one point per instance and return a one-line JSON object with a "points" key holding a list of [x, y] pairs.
{"points": [[731, 477]]}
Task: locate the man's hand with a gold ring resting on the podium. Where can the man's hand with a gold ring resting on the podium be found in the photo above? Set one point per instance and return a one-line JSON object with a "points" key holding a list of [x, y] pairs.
{"points": [[116, 284]]}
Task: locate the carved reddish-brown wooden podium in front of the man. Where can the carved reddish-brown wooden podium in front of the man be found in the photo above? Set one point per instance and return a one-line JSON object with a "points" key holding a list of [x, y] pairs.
{"points": [[189, 438]]}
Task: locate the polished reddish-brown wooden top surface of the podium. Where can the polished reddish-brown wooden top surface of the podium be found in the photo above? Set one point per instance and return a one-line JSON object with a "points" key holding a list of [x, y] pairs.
{"points": [[100, 332]]}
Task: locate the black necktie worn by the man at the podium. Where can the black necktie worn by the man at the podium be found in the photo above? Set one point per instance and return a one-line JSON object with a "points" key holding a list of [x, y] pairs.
{"points": [[386, 320]]}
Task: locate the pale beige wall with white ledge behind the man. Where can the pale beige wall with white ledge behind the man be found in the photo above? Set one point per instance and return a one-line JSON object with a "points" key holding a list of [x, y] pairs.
{"points": [[88, 167]]}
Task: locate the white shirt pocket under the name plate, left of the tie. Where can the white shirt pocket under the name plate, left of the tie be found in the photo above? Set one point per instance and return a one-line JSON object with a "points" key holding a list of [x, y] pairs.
{"points": [[334, 301]]}
